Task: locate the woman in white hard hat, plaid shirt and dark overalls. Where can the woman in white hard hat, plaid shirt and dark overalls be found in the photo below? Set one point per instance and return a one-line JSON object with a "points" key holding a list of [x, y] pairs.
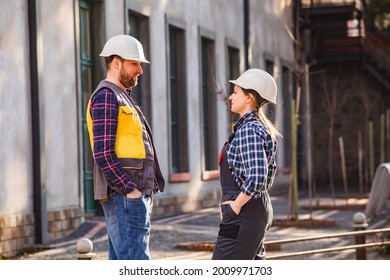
{"points": [[247, 168]]}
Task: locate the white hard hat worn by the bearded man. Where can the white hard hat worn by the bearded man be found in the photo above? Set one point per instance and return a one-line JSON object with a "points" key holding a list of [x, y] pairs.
{"points": [[124, 46]]}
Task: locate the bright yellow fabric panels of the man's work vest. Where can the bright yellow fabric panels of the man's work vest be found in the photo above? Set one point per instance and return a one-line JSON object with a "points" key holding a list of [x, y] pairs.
{"points": [[129, 140]]}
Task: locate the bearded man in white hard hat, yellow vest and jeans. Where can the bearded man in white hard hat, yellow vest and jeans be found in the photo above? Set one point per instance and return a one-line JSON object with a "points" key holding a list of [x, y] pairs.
{"points": [[126, 172]]}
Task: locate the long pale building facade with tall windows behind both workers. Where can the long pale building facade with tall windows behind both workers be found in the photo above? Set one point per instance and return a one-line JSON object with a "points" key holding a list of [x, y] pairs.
{"points": [[50, 64]]}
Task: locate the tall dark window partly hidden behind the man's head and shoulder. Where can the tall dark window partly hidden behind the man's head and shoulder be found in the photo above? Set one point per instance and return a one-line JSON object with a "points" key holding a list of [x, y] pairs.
{"points": [[138, 27]]}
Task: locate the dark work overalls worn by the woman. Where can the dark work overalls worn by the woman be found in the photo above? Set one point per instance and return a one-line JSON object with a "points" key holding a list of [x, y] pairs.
{"points": [[241, 237]]}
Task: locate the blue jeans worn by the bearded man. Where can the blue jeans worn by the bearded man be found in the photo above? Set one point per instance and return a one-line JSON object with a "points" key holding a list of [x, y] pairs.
{"points": [[128, 226]]}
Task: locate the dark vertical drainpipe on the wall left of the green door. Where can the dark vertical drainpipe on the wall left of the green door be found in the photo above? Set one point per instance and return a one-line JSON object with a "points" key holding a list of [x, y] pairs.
{"points": [[39, 195]]}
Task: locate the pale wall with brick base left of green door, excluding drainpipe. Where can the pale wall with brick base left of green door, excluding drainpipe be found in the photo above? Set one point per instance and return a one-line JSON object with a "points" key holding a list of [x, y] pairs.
{"points": [[57, 78]]}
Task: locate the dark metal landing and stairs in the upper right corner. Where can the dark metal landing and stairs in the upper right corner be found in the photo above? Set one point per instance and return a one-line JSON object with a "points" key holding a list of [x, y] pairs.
{"points": [[337, 36]]}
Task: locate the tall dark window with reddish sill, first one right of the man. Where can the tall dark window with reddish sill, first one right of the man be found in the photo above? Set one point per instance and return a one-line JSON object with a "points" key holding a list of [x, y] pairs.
{"points": [[179, 166]]}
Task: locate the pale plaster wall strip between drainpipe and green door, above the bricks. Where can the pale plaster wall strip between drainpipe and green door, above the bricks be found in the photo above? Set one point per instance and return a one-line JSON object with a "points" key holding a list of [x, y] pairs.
{"points": [[59, 94]]}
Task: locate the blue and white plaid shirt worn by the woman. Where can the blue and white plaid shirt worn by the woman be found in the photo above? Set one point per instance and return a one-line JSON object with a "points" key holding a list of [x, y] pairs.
{"points": [[251, 155]]}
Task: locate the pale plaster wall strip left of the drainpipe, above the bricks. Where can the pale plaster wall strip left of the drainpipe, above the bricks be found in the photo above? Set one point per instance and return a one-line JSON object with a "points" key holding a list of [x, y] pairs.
{"points": [[15, 111]]}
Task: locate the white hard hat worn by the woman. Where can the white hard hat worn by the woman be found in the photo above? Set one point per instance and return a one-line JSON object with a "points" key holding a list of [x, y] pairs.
{"points": [[260, 81]]}
